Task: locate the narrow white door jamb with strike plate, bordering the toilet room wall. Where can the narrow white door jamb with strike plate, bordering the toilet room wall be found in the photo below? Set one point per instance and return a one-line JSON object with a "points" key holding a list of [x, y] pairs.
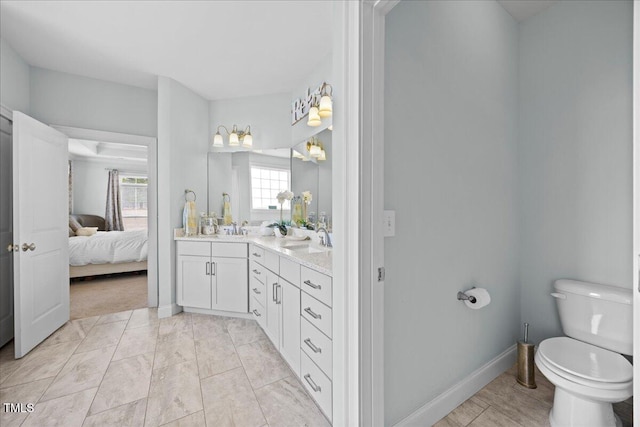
{"points": [[372, 197]]}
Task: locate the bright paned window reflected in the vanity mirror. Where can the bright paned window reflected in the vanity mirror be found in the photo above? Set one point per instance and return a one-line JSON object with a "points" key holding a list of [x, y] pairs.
{"points": [[266, 183]]}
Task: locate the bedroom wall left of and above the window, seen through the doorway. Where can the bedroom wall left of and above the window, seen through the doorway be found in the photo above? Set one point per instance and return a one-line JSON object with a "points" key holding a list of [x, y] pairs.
{"points": [[90, 183]]}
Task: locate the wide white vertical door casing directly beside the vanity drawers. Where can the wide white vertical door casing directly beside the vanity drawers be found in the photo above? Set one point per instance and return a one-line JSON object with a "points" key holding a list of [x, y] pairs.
{"points": [[346, 206]]}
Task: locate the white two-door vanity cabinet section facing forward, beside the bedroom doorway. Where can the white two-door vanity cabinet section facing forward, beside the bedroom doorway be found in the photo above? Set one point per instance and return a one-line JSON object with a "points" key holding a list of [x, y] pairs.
{"points": [[212, 275]]}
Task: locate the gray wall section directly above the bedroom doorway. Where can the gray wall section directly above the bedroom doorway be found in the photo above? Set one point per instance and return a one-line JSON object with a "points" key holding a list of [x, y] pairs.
{"points": [[66, 99]]}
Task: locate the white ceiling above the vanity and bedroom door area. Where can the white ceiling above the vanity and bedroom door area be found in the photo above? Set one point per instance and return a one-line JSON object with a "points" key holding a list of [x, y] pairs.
{"points": [[220, 49]]}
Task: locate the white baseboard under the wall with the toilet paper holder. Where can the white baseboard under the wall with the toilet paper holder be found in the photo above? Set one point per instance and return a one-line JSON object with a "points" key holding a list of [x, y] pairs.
{"points": [[439, 407]]}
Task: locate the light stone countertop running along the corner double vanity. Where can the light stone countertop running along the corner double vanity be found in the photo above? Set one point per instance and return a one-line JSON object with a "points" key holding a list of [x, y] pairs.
{"points": [[321, 262]]}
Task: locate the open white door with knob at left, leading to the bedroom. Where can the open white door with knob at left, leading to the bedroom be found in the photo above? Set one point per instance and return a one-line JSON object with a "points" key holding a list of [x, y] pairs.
{"points": [[40, 214]]}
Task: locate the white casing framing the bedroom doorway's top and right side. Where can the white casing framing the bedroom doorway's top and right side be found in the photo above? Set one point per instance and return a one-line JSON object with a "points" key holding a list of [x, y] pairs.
{"points": [[152, 192]]}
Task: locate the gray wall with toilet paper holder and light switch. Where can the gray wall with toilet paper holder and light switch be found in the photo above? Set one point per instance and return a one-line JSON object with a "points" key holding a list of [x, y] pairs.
{"points": [[451, 118]]}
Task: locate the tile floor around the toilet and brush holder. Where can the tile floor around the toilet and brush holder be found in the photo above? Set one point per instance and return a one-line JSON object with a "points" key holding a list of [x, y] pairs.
{"points": [[505, 403]]}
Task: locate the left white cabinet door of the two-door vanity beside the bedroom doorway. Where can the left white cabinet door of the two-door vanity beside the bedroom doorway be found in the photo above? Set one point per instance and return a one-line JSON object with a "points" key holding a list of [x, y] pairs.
{"points": [[194, 281]]}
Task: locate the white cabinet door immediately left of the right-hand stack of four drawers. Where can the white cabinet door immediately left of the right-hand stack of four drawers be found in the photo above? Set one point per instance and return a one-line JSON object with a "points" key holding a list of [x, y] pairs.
{"points": [[289, 298]]}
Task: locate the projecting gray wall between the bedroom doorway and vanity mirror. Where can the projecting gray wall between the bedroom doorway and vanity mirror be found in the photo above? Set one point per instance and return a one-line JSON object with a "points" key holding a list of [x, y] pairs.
{"points": [[183, 143]]}
